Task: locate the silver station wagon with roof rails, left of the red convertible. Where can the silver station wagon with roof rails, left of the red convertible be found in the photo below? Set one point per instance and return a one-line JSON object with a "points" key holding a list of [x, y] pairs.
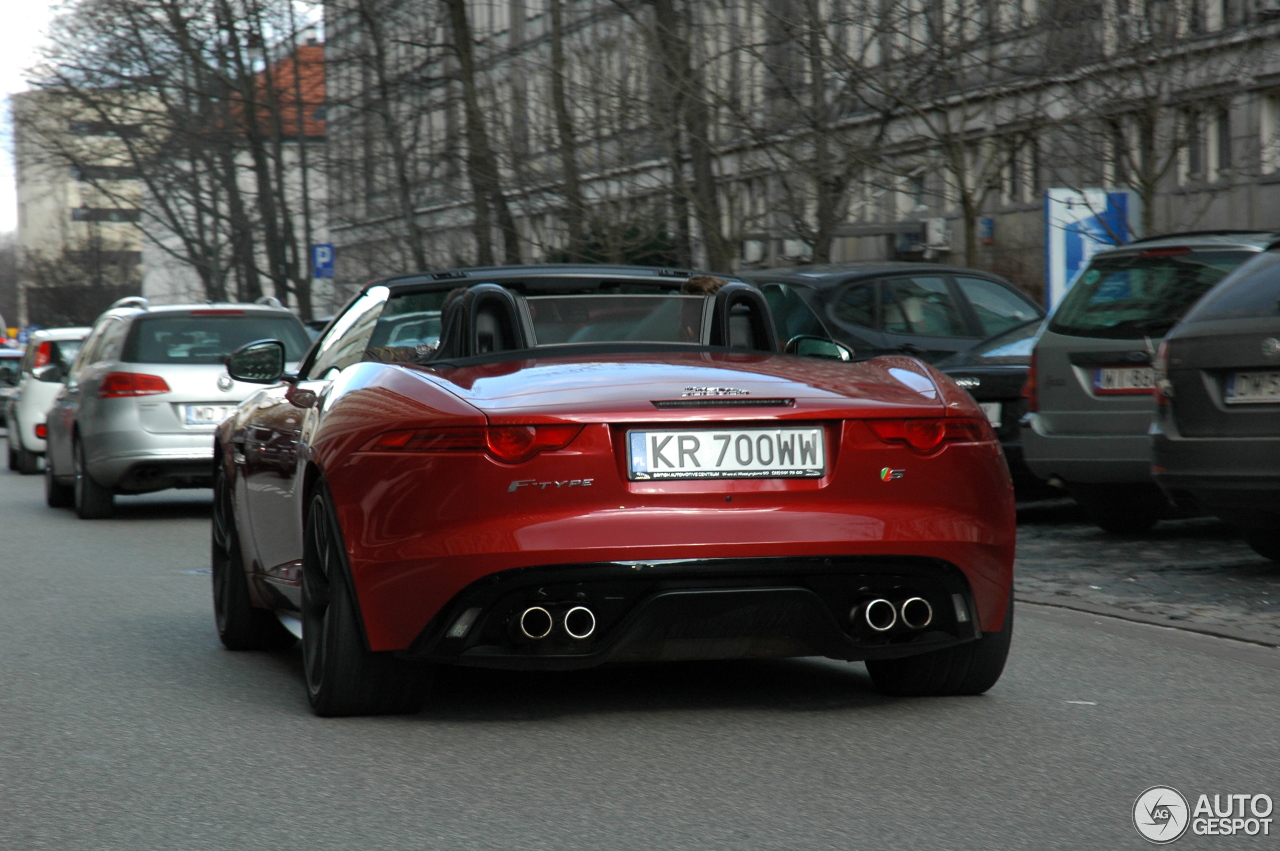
{"points": [[143, 399]]}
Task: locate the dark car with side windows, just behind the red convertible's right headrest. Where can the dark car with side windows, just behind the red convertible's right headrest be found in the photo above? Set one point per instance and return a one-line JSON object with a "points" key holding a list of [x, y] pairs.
{"points": [[926, 310]]}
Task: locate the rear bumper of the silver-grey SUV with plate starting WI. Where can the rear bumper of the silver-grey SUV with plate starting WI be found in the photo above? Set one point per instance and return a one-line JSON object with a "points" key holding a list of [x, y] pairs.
{"points": [[1096, 459]]}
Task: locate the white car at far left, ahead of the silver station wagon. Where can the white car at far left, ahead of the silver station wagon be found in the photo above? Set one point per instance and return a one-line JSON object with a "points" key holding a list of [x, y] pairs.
{"points": [[40, 377]]}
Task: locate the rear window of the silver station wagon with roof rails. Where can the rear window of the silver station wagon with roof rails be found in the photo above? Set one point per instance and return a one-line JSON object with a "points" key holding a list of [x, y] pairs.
{"points": [[209, 340]]}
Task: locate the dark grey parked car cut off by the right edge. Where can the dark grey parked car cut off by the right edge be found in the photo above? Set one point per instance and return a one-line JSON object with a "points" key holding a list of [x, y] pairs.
{"points": [[1217, 437]]}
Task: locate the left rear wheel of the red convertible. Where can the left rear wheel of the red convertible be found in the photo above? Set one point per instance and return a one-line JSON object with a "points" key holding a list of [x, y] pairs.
{"points": [[344, 678]]}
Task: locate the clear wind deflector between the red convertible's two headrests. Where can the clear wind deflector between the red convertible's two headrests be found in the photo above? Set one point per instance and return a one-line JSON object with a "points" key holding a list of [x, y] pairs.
{"points": [[609, 319]]}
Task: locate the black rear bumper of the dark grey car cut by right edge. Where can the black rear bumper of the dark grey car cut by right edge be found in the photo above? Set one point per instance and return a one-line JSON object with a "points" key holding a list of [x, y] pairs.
{"points": [[1237, 479]]}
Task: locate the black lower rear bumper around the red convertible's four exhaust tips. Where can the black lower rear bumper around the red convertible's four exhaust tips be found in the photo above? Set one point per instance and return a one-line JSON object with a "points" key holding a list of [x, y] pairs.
{"points": [[702, 610]]}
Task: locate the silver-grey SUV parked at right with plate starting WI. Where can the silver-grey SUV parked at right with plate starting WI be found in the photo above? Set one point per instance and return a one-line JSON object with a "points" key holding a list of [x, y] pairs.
{"points": [[1090, 388]]}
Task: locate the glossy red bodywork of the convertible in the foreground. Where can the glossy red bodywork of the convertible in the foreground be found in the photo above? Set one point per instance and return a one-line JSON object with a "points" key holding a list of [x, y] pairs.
{"points": [[423, 527]]}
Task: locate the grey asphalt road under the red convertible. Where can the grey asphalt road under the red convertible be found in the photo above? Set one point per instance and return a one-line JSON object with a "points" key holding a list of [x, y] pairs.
{"points": [[125, 725]]}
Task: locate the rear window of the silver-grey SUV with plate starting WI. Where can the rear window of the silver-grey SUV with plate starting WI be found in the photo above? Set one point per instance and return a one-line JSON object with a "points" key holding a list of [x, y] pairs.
{"points": [[1141, 295]]}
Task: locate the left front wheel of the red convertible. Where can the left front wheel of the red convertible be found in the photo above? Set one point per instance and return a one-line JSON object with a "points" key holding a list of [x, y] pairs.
{"points": [[241, 625]]}
